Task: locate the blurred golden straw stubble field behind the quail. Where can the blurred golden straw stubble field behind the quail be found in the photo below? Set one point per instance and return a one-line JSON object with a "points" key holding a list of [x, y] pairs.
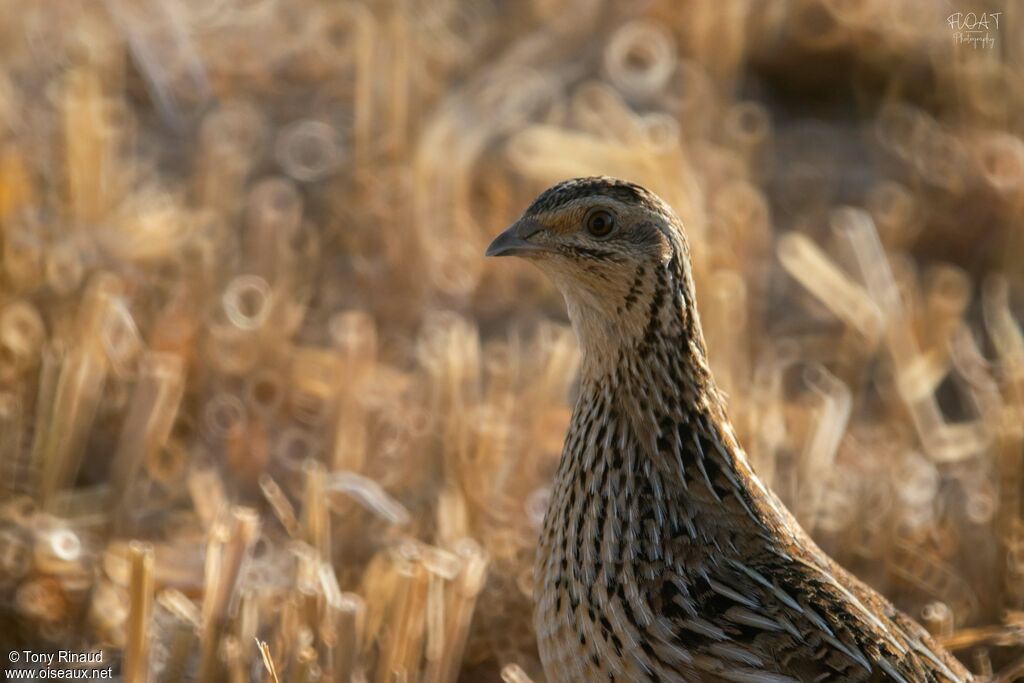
{"points": [[264, 404]]}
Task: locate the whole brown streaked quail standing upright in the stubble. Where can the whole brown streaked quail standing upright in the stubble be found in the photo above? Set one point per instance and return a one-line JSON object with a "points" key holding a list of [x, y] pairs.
{"points": [[663, 557]]}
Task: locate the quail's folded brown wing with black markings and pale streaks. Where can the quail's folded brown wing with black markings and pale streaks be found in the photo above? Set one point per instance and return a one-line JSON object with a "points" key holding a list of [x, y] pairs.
{"points": [[795, 617]]}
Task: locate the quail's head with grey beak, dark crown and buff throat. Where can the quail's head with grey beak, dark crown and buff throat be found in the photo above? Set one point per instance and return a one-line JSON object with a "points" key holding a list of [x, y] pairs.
{"points": [[615, 250]]}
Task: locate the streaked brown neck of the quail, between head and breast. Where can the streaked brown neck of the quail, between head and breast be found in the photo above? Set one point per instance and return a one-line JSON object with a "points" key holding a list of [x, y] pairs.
{"points": [[649, 380]]}
